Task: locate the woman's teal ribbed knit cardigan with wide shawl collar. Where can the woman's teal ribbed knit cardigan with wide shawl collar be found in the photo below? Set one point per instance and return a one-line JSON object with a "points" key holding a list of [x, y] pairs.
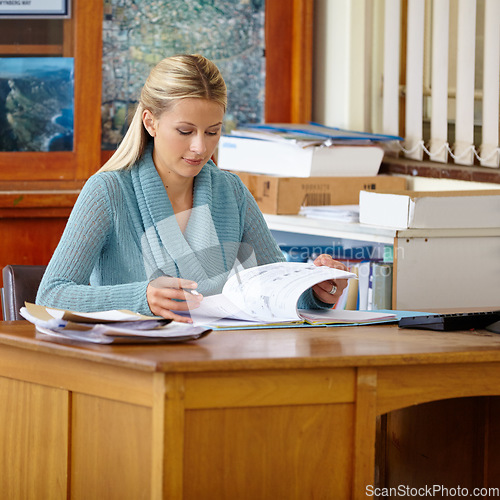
{"points": [[122, 233]]}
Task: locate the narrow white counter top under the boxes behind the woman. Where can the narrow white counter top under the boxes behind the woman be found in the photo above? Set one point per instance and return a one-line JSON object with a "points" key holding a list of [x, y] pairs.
{"points": [[361, 232]]}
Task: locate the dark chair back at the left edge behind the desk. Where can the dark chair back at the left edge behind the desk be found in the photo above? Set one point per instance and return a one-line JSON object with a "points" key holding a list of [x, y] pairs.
{"points": [[20, 285]]}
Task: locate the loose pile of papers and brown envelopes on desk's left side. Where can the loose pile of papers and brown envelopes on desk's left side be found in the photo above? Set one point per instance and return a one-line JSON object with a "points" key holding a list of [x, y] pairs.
{"points": [[108, 327]]}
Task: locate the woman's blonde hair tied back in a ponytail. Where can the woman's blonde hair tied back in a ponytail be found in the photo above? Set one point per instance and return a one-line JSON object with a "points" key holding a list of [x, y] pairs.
{"points": [[173, 78]]}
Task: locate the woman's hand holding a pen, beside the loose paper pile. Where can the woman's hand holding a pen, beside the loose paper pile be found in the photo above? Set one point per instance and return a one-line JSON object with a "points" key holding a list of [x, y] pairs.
{"points": [[166, 295]]}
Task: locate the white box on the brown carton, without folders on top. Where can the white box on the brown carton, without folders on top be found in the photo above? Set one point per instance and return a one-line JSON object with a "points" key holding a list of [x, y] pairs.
{"points": [[291, 160]]}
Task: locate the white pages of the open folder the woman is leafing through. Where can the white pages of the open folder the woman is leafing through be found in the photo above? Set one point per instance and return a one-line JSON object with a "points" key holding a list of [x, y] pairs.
{"points": [[268, 295]]}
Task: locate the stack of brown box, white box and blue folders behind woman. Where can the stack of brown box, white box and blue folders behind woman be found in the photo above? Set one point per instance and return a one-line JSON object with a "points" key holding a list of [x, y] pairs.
{"points": [[286, 166]]}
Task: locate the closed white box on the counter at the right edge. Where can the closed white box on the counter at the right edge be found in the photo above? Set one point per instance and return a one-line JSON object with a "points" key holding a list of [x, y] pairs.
{"points": [[432, 209]]}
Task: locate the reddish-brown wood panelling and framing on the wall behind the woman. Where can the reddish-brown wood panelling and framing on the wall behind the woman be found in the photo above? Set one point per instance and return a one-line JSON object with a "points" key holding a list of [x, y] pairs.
{"points": [[38, 190]]}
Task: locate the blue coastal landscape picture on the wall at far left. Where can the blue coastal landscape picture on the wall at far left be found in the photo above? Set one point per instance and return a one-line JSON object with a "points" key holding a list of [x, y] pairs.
{"points": [[36, 103]]}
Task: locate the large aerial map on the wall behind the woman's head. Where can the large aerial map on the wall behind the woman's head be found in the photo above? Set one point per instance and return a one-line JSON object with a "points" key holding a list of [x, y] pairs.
{"points": [[139, 33]]}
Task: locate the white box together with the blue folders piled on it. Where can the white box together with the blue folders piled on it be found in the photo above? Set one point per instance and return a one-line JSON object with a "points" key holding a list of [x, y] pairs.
{"points": [[301, 150]]}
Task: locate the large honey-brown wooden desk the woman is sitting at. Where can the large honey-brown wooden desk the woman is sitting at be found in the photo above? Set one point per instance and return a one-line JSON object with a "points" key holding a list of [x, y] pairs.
{"points": [[266, 414]]}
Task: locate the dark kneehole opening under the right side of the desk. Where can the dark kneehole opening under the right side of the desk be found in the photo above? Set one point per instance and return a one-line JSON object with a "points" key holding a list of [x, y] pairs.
{"points": [[446, 444]]}
